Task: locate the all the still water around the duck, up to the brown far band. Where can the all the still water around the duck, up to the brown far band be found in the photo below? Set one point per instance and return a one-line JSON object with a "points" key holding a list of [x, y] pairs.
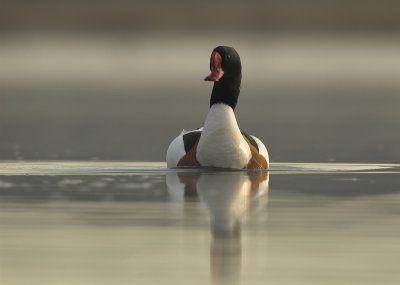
{"points": [[93, 103]]}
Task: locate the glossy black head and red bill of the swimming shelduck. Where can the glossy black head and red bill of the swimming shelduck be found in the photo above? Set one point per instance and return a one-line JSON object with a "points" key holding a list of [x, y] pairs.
{"points": [[224, 64]]}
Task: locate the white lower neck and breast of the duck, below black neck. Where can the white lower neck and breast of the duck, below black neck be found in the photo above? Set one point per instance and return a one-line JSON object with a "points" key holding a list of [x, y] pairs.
{"points": [[221, 143]]}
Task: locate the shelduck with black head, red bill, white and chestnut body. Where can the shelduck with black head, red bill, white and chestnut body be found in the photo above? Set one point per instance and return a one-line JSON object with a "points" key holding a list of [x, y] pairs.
{"points": [[220, 143]]}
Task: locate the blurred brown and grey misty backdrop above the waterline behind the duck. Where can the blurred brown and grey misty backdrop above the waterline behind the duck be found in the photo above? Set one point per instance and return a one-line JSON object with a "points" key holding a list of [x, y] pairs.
{"points": [[118, 80]]}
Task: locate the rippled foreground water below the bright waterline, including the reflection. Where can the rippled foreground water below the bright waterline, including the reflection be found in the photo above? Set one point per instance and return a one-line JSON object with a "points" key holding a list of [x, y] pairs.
{"points": [[140, 223]]}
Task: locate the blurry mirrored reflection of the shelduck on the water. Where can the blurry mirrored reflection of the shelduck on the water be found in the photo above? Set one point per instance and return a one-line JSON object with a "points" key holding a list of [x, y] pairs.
{"points": [[226, 195]]}
